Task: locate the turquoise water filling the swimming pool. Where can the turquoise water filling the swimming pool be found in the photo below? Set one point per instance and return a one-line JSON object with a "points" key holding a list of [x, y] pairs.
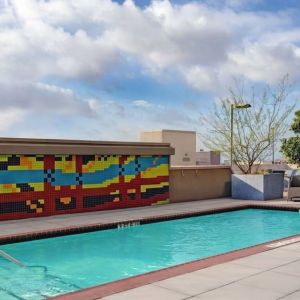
{"points": [[64, 264]]}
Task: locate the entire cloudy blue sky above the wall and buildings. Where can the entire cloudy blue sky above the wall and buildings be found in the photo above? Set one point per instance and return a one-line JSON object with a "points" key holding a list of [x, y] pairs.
{"points": [[106, 70]]}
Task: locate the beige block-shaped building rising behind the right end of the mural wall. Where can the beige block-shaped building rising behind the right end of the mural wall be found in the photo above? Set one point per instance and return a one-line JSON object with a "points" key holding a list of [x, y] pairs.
{"points": [[183, 141]]}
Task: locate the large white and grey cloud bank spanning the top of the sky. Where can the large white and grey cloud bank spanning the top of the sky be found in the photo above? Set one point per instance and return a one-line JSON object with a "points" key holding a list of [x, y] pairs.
{"points": [[83, 39]]}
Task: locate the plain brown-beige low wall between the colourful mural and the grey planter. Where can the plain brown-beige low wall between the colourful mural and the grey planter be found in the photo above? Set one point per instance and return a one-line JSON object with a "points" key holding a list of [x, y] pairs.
{"points": [[197, 183]]}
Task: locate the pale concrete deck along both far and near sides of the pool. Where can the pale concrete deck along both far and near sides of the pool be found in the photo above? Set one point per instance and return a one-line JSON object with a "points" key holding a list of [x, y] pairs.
{"points": [[273, 274]]}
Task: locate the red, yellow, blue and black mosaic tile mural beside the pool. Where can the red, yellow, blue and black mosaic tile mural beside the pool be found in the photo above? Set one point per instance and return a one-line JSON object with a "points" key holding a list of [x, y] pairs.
{"points": [[40, 185]]}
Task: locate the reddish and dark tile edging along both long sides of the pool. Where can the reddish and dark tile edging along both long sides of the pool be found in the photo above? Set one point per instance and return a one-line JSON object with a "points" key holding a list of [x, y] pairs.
{"points": [[103, 290]]}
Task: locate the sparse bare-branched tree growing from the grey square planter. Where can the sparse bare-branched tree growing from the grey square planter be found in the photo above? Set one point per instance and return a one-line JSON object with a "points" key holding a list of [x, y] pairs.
{"points": [[255, 129]]}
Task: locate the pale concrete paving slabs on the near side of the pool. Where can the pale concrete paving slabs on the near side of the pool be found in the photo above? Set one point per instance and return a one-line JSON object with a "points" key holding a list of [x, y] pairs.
{"points": [[274, 274]]}
